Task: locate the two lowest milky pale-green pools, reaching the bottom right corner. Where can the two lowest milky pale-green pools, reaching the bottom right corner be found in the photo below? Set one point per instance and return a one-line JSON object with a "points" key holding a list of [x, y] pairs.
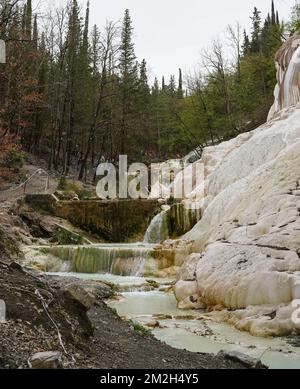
{"points": [[203, 335]]}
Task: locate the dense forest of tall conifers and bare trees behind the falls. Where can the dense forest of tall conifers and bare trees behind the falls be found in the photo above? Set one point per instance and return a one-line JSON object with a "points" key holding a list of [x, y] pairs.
{"points": [[74, 94]]}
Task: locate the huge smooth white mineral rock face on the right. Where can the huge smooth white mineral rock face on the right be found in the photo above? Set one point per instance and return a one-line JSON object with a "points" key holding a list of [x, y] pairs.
{"points": [[248, 240]]}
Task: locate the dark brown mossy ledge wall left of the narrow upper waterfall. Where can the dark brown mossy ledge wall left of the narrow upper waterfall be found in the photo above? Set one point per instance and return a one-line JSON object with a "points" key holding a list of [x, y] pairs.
{"points": [[115, 221]]}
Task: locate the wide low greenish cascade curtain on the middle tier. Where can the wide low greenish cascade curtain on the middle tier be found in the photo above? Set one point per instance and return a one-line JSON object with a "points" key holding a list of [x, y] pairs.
{"points": [[123, 259]]}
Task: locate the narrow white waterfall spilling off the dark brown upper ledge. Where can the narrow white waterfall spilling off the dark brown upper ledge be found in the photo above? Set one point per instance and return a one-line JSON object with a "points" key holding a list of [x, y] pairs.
{"points": [[158, 231]]}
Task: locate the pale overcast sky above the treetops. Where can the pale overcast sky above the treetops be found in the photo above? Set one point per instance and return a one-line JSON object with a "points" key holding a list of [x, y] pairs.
{"points": [[171, 33]]}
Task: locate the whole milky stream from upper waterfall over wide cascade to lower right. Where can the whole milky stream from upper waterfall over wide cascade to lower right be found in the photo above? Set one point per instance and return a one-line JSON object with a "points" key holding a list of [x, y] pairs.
{"points": [[150, 302]]}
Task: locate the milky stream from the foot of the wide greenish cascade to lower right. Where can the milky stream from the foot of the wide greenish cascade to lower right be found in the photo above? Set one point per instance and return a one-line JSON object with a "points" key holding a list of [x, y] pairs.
{"points": [[190, 330]]}
